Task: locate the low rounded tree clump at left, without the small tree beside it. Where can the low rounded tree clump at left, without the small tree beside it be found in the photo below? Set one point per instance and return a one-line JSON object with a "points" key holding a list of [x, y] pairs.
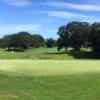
{"points": [[23, 40]]}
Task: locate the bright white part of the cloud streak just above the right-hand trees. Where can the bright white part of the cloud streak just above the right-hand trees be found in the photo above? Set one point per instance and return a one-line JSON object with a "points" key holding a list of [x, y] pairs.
{"points": [[73, 16]]}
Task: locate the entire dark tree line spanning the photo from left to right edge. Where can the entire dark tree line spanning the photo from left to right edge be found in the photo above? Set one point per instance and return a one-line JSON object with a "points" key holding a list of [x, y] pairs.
{"points": [[75, 35]]}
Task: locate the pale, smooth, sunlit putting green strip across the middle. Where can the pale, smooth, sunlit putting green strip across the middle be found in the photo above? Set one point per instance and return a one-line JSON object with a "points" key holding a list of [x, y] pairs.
{"points": [[50, 67]]}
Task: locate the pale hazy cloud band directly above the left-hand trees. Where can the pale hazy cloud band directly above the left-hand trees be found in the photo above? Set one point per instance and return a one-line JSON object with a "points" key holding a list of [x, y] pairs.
{"points": [[13, 28]]}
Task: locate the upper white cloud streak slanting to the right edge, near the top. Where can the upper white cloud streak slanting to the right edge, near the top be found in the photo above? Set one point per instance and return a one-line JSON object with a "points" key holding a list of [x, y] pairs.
{"points": [[85, 7]]}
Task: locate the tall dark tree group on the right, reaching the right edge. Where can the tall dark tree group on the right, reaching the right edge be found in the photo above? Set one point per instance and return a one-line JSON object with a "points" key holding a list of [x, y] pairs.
{"points": [[79, 34]]}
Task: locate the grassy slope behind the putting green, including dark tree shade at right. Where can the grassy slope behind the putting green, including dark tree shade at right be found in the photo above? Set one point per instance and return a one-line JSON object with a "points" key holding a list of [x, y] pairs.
{"points": [[49, 53]]}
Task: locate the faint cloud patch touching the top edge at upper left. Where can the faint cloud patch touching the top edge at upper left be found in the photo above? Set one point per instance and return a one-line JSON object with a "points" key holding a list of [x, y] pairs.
{"points": [[17, 3]]}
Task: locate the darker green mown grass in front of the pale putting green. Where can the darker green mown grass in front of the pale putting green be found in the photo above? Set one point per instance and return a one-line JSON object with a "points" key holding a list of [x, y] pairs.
{"points": [[69, 87]]}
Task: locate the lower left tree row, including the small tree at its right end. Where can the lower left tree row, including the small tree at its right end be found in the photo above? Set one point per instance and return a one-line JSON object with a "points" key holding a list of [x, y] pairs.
{"points": [[25, 40]]}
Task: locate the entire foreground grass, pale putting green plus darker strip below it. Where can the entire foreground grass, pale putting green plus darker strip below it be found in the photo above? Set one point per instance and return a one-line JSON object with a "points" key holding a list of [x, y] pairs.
{"points": [[49, 80]]}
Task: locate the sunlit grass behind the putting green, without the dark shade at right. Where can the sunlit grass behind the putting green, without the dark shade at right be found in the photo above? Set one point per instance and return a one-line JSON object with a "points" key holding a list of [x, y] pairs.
{"points": [[35, 53]]}
